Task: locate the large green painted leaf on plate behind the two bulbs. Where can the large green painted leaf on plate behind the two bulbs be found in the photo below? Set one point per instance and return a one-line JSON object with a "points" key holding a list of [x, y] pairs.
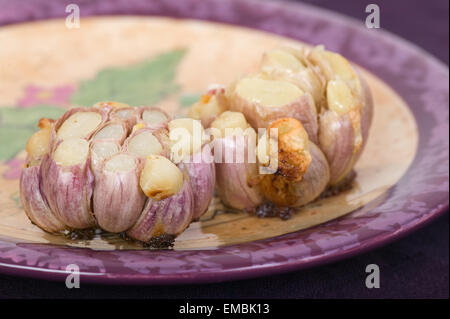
{"points": [[145, 83]]}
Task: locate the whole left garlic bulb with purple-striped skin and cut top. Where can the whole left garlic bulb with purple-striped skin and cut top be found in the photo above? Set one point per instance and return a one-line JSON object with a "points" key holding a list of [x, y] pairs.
{"points": [[110, 167]]}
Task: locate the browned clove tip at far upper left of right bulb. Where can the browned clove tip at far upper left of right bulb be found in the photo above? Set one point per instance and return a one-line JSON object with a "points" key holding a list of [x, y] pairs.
{"points": [[210, 105]]}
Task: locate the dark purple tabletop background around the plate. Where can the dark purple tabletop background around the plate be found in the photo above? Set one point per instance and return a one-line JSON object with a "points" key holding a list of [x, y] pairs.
{"points": [[416, 266]]}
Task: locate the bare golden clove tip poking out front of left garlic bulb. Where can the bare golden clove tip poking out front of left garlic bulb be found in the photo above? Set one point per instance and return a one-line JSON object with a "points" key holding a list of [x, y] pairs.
{"points": [[160, 178]]}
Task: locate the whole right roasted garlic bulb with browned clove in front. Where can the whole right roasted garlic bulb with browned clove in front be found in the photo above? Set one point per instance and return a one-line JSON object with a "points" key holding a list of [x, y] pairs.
{"points": [[322, 109]]}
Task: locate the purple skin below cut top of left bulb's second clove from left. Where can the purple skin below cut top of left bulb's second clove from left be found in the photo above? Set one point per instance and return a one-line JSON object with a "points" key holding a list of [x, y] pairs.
{"points": [[68, 191]]}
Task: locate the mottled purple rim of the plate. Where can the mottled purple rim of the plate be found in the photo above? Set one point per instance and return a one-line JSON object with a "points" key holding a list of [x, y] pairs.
{"points": [[409, 69]]}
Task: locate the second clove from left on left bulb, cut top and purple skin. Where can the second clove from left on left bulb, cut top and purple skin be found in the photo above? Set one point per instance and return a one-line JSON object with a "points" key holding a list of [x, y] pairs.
{"points": [[67, 183]]}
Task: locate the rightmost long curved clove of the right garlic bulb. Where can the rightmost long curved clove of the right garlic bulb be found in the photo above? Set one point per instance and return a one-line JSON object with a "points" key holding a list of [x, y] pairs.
{"points": [[346, 119]]}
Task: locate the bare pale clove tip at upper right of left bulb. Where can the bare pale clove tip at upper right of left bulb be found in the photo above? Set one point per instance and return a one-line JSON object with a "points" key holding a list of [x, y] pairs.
{"points": [[186, 138]]}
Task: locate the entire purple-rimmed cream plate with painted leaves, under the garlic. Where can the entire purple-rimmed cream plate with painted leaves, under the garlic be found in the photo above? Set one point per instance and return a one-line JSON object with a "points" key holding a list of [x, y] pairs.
{"points": [[402, 180]]}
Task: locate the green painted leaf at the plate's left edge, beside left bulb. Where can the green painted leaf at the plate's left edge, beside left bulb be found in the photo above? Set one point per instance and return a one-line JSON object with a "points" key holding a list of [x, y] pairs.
{"points": [[17, 125]]}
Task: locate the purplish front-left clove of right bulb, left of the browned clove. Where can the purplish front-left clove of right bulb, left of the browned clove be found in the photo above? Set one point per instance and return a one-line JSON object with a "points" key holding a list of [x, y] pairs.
{"points": [[235, 181]]}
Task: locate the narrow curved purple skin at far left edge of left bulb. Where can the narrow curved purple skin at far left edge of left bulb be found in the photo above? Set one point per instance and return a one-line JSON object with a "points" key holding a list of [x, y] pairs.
{"points": [[34, 204]]}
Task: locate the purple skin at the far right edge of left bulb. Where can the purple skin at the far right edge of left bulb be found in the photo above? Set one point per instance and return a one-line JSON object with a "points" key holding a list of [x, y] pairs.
{"points": [[202, 175]]}
